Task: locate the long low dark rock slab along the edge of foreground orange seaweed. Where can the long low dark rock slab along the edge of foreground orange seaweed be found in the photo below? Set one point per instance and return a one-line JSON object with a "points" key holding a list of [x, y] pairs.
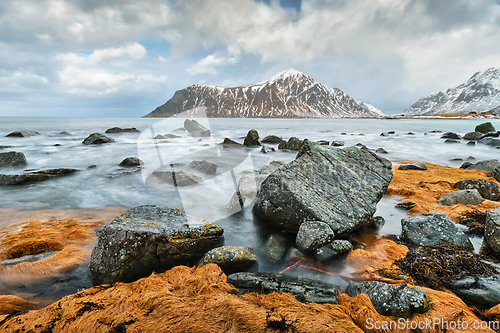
{"points": [[305, 290]]}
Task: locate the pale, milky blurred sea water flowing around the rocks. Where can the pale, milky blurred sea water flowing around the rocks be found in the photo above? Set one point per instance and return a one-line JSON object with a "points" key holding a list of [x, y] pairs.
{"points": [[102, 183]]}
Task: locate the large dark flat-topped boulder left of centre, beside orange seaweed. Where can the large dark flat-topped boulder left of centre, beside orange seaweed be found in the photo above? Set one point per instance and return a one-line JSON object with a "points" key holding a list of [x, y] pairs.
{"points": [[149, 238]]}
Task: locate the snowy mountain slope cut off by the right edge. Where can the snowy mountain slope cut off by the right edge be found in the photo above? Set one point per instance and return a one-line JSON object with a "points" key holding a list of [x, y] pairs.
{"points": [[480, 93]]}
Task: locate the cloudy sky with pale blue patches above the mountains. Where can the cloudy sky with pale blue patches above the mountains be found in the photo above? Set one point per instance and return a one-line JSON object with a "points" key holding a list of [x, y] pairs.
{"points": [[123, 58]]}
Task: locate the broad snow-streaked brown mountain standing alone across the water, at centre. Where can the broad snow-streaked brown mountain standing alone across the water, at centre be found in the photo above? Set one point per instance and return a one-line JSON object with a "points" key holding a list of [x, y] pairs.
{"points": [[288, 94]]}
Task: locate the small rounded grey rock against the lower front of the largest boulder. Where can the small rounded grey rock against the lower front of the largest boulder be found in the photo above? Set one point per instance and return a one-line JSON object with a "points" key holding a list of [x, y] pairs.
{"points": [[313, 235]]}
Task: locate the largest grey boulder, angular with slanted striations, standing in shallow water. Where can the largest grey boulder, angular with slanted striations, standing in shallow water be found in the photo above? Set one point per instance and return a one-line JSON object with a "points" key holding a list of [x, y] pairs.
{"points": [[340, 187]]}
